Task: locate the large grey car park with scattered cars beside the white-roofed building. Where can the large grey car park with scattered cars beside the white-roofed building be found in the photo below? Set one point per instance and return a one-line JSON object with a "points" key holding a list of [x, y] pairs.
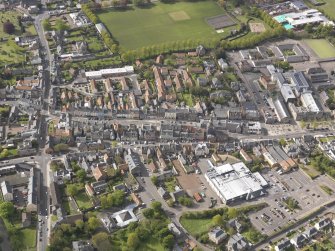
{"points": [[295, 185]]}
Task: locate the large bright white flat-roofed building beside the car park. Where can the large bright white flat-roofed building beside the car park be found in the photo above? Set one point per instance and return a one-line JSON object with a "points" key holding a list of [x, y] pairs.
{"points": [[235, 182]]}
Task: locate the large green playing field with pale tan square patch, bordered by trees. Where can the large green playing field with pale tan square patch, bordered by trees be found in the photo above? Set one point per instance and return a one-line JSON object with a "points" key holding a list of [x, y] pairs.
{"points": [[140, 27]]}
